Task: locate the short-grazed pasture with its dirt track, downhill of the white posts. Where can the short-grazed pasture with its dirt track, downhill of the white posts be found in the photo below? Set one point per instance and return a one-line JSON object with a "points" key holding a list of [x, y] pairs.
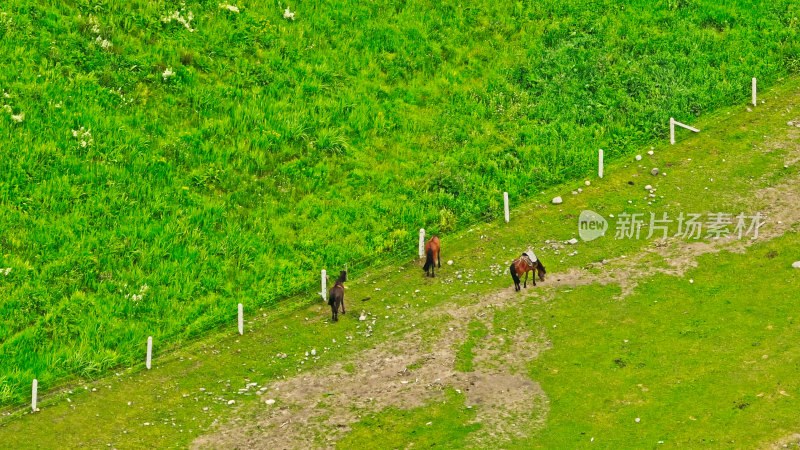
{"points": [[697, 340]]}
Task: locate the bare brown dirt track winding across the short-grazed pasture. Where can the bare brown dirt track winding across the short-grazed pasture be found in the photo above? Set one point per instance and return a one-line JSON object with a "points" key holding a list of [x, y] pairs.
{"points": [[379, 378]]}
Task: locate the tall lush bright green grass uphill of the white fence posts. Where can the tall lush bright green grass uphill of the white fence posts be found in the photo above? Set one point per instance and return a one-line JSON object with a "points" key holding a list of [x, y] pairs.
{"points": [[162, 161]]}
